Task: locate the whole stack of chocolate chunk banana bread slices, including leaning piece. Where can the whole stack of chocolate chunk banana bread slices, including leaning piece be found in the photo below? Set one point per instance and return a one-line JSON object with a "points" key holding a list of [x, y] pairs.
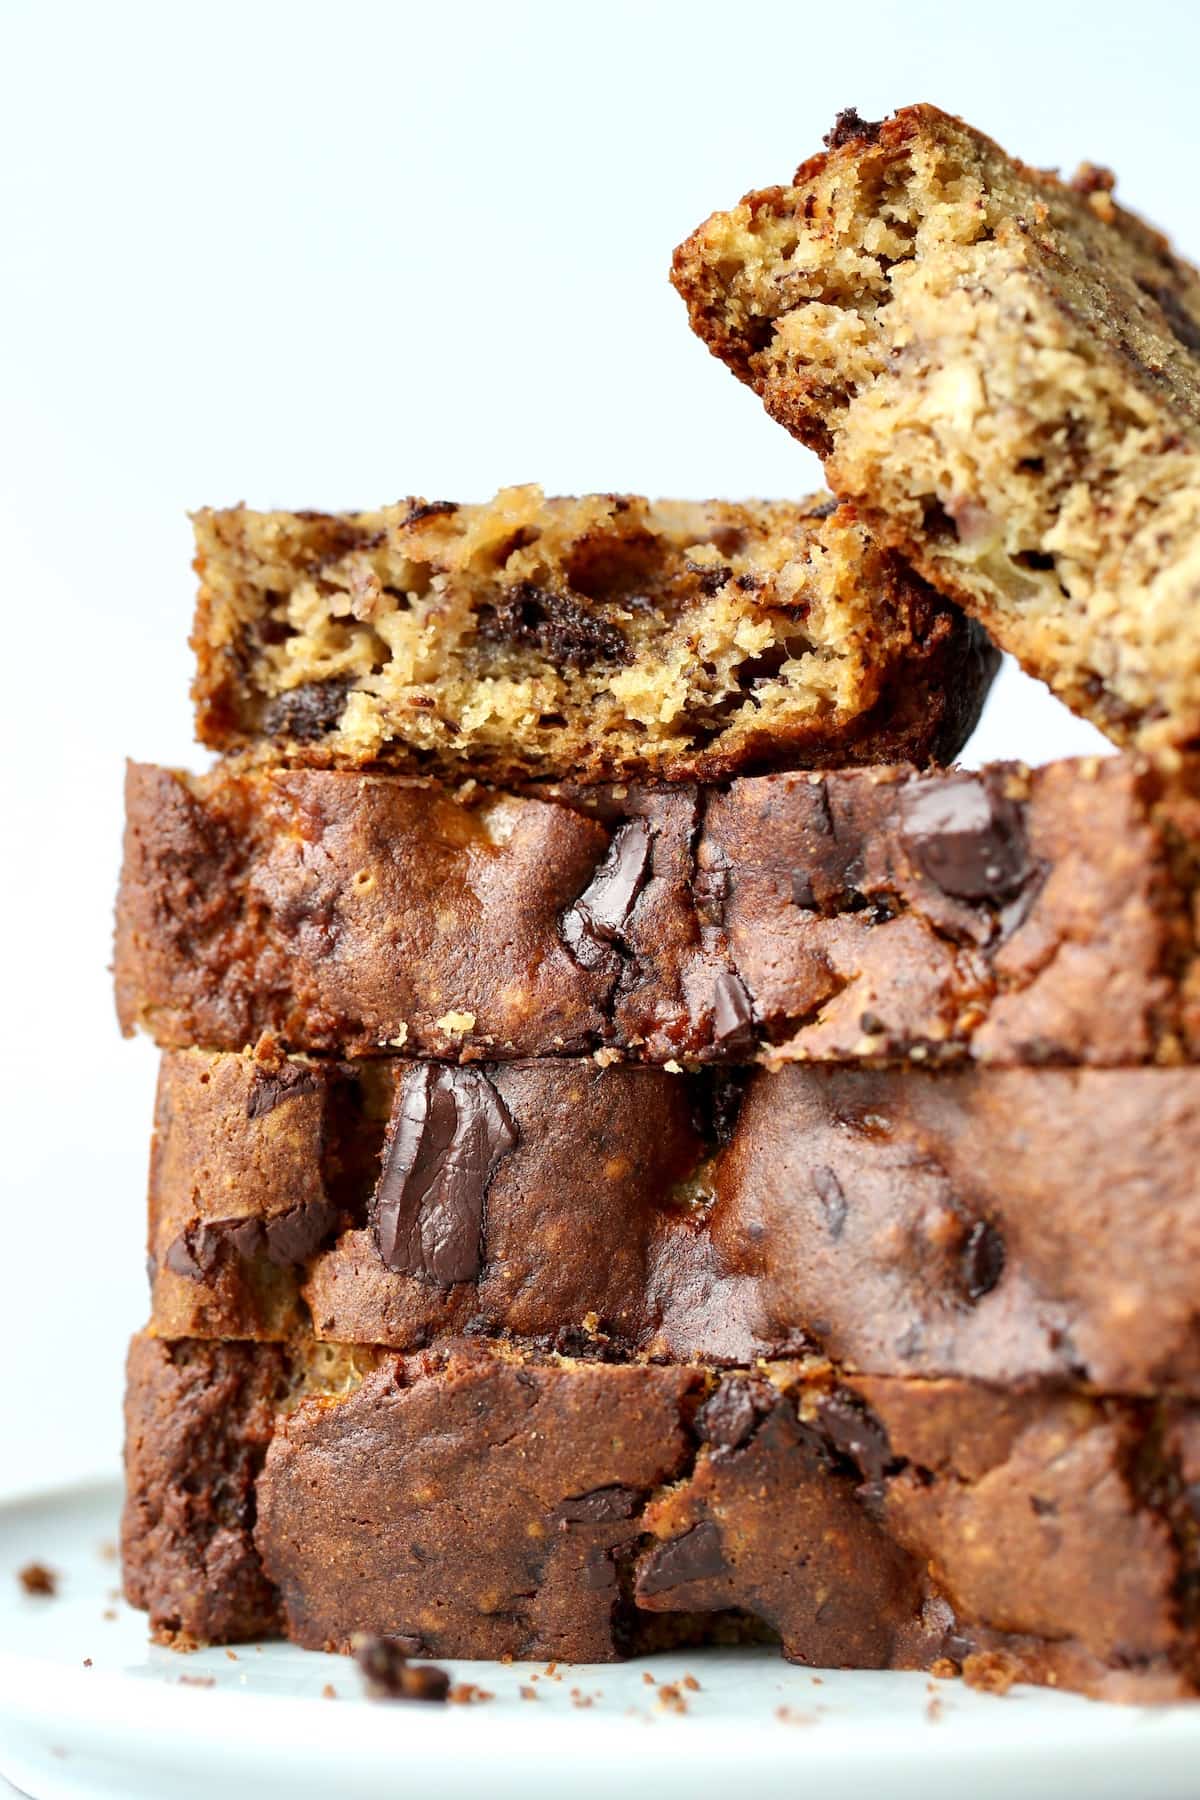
{"points": [[649, 1153]]}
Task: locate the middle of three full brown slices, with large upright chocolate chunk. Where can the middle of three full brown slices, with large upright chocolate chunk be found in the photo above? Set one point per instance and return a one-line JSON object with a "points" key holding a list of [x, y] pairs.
{"points": [[897, 1221]]}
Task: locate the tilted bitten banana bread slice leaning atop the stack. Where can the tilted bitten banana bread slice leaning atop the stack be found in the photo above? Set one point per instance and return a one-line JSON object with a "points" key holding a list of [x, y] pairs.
{"points": [[1003, 375]]}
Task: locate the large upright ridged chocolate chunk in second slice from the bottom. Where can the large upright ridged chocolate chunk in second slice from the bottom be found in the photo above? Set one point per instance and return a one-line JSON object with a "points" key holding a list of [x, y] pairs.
{"points": [[445, 1138]]}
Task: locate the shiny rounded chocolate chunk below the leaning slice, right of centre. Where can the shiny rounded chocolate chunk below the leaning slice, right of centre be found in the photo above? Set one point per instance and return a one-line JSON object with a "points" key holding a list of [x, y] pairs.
{"points": [[967, 838]]}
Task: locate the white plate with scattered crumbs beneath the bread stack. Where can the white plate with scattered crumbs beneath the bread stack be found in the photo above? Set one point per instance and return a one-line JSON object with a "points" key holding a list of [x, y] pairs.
{"points": [[143, 1723]]}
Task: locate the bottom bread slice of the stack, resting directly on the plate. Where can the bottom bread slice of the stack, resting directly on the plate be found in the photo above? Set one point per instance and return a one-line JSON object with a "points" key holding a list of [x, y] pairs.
{"points": [[616, 1509]]}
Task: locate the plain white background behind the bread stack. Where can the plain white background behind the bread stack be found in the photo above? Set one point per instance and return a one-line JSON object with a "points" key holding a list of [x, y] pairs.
{"points": [[337, 255]]}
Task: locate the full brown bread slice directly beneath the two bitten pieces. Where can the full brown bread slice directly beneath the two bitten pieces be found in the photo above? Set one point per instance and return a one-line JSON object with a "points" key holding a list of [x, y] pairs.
{"points": [[857, 915]]}
